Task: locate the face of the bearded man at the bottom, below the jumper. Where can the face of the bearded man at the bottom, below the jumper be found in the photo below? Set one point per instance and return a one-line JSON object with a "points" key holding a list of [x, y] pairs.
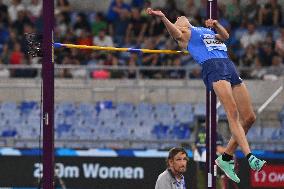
{"points": [[178, 163]]}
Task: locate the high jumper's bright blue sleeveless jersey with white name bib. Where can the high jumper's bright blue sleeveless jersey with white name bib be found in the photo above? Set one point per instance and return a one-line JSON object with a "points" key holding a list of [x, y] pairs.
{"points": [[203, 45]]}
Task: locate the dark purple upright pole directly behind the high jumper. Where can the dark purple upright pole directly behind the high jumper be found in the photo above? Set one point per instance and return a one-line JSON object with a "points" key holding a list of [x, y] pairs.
{"points": [[211, 118]]}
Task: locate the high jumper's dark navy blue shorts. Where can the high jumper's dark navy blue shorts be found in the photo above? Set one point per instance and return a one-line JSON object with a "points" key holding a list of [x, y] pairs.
{"points": [[219, 69]]}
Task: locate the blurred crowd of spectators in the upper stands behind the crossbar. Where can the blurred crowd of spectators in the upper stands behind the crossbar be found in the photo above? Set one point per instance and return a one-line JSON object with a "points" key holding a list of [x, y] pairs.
{"points": [[256, 43]]}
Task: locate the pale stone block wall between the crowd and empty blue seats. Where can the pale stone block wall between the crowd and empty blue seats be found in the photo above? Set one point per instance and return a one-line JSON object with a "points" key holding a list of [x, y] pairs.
{"points": [[134, 91]]}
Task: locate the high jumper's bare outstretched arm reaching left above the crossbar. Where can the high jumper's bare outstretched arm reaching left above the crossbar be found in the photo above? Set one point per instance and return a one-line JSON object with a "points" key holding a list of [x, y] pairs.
{"points": [[172, 29]]}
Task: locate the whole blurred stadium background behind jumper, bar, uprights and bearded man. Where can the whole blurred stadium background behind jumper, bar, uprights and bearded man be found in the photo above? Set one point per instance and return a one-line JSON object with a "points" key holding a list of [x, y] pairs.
{"points": [[117, 114]]}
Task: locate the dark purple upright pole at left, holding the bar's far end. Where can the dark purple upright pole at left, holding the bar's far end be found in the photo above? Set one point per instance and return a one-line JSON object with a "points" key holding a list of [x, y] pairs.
{"points": [[48, 95]]}
